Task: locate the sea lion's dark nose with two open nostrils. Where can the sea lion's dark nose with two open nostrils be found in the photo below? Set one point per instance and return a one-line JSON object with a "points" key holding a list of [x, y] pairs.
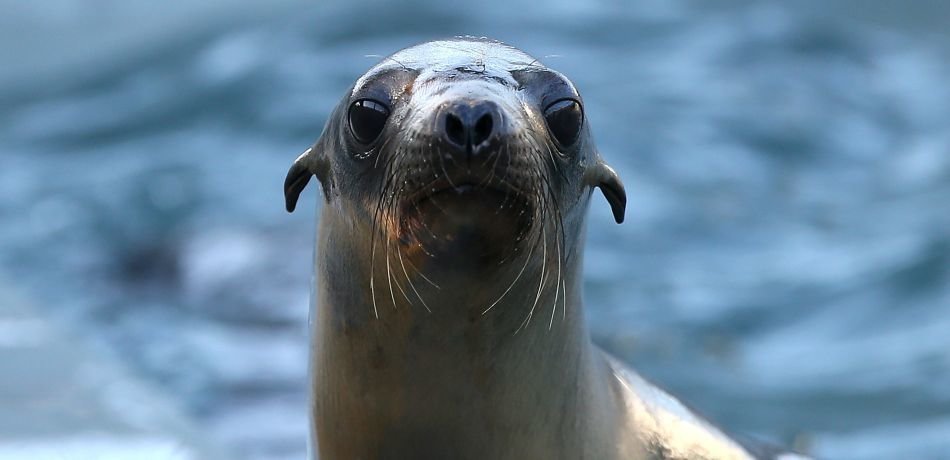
{"points": [[469, 126]]}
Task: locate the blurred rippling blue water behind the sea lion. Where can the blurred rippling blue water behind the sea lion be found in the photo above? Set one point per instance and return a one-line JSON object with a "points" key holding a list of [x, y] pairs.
{"points": [[784, 267]]}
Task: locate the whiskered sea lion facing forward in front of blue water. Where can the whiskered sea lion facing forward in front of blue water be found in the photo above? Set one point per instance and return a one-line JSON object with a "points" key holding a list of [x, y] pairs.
{"points": [[447, 318]]}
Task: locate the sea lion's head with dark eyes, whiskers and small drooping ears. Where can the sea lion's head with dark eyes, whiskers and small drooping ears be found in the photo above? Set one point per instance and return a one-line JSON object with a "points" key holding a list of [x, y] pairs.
{"points": [[464, 148]]}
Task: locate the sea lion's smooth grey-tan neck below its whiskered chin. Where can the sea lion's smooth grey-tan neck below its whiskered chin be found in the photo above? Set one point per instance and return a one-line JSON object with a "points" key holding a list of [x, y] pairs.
{"points": [[403, 378]]}
